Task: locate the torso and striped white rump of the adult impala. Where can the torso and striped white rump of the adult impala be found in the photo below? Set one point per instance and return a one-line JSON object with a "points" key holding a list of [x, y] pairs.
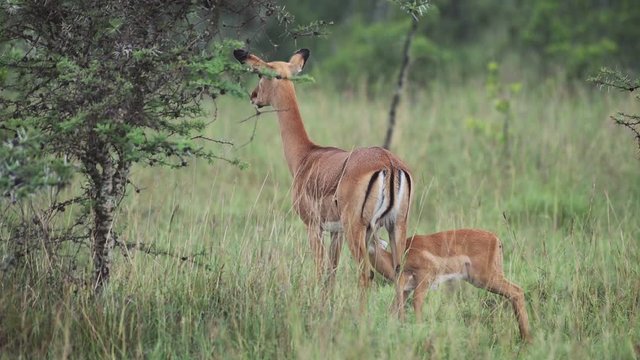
{"points": [[329, 180]]}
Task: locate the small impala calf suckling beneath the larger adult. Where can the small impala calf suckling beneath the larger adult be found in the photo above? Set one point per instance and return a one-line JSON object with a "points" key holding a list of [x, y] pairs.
{"points": [[466, 254]]}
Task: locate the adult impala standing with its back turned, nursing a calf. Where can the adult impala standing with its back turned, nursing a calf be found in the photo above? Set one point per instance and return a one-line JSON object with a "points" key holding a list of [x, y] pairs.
{"points": [[335, 190]]}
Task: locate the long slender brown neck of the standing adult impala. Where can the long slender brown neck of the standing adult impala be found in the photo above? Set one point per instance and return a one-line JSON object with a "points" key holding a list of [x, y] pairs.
{"points": [[295, 140]]}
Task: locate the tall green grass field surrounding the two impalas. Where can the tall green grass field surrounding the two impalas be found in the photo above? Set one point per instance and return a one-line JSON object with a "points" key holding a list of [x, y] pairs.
{"points": [[566, 205]]}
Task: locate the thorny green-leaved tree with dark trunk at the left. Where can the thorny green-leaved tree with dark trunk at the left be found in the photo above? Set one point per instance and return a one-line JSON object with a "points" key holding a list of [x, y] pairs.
{"points": [[105, 85]]}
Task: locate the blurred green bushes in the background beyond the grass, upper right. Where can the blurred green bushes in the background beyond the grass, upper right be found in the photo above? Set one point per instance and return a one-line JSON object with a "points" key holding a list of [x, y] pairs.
{"points": [[456, 39]]}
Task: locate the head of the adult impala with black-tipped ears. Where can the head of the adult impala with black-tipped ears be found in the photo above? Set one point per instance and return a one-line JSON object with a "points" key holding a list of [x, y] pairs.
{"points": [[276, 74]]}
